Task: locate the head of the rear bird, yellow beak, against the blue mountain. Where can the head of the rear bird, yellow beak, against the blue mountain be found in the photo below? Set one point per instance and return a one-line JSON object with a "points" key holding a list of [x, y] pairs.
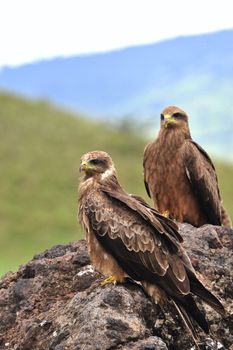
{"points": [[173, 117]]}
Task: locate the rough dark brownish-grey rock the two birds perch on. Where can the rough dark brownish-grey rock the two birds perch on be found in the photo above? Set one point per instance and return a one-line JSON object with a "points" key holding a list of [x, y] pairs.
{"points": [[56, 302]]}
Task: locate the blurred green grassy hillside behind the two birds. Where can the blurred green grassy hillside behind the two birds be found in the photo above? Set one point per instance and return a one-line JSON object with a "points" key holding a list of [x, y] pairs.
{"points": [[40, 151]]}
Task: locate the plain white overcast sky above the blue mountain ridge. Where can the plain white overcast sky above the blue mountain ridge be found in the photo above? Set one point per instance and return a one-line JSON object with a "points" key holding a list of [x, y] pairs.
{"points": [[37, 29]]}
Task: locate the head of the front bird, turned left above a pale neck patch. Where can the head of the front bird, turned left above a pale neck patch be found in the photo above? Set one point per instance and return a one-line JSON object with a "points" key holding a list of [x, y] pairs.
{"points": [[96, 163]]}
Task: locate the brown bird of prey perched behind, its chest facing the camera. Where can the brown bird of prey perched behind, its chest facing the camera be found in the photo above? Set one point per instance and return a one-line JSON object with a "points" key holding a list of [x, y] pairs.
{"points": [[179, 175]]}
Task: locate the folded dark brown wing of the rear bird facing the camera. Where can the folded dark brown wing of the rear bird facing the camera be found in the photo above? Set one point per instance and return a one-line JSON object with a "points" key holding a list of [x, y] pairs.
{"points": [[203, 179]]}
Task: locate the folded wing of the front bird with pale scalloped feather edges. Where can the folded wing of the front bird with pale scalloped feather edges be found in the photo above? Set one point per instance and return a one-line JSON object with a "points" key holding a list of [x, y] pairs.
{"points": [[143, 252]]}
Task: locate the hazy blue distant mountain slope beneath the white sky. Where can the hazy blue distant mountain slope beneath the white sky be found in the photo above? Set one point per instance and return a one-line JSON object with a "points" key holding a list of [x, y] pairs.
{"points": [[194, 72]]}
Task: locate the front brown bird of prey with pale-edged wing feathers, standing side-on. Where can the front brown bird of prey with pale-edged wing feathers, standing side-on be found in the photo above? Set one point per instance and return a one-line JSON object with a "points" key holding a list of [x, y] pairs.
{"points": [[127, 238]]}
